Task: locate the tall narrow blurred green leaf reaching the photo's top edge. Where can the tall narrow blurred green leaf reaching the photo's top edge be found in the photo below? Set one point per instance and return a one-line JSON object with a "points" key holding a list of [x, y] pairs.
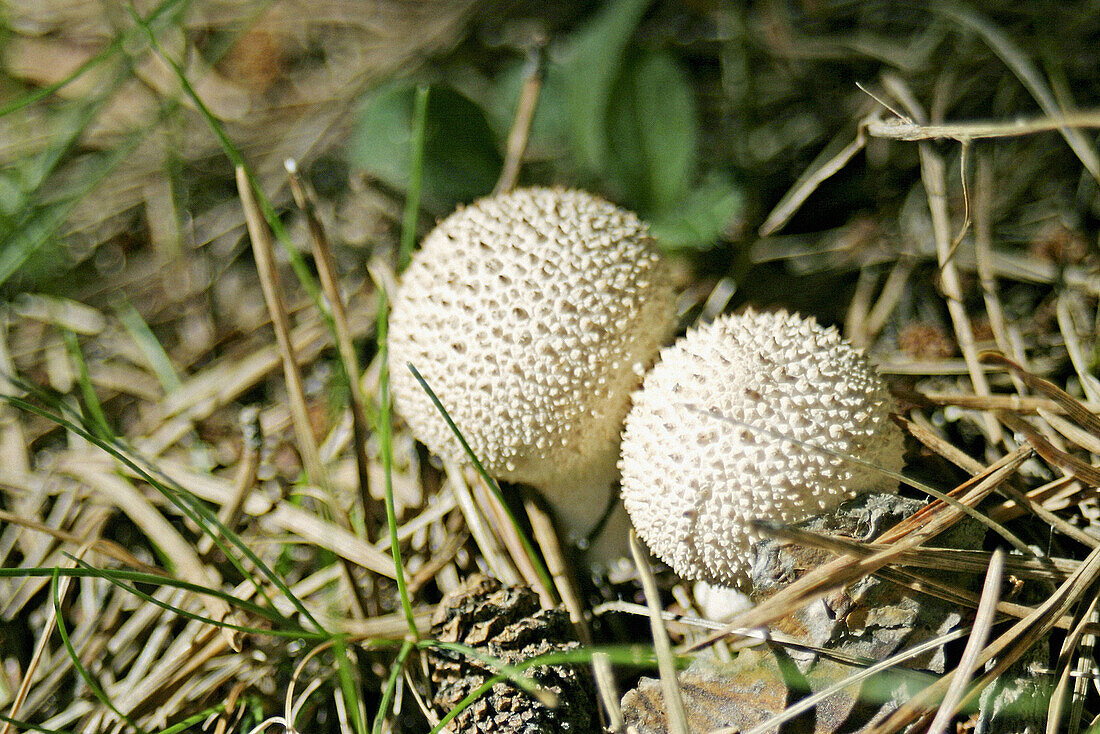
{"points": [[592, 67]]}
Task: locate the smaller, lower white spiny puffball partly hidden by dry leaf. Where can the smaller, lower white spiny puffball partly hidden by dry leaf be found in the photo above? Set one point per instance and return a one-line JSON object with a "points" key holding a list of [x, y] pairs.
{"points": [[692, 483]]}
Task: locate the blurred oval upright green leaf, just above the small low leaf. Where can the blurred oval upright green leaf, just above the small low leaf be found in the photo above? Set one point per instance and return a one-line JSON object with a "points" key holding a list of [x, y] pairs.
{"points": [[653, 137]]}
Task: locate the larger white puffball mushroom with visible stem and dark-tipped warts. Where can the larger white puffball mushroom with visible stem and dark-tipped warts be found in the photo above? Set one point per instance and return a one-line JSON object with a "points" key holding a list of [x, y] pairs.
{"points": [[533, 315]]}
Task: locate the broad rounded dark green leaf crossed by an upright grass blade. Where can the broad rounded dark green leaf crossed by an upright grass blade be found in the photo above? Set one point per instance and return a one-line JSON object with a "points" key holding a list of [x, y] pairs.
{"points": [[461, 161]]}
